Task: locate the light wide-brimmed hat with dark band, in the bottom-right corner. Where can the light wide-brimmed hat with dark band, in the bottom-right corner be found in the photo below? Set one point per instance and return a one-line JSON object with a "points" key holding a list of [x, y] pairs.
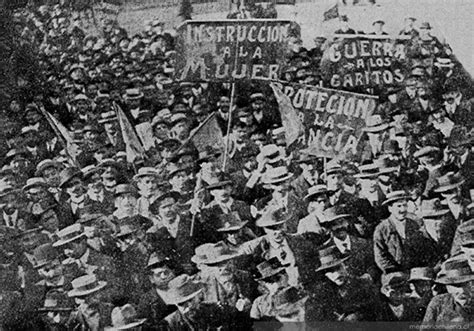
{"points": [[455, 270]]}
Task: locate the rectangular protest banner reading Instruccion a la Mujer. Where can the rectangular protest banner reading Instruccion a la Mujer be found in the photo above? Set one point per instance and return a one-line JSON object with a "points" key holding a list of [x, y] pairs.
{"points": [[231, 50]]}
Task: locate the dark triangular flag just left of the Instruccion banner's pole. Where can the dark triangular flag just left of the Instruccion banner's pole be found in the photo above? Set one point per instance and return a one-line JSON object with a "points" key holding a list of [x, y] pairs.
{"points": [[208, 134]]}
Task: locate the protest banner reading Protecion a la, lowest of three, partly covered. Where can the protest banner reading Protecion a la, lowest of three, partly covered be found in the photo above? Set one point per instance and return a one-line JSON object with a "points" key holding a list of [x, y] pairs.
{"points": [[332, 119]]}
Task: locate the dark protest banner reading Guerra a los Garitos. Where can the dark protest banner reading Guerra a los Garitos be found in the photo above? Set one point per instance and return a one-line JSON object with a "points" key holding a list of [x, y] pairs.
{"points": [[359, 62]]}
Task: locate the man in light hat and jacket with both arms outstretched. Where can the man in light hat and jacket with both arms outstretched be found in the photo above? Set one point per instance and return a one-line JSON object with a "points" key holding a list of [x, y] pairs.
{"points": [[296, 251]]}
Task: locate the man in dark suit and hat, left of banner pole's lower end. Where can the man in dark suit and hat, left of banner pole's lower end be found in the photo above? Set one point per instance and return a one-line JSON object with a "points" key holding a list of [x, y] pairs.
{"points": [[171, 234]]}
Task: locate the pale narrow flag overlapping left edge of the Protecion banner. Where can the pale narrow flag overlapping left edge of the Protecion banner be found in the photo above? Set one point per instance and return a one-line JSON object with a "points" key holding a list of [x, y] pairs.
{"points": [[289, 117]]}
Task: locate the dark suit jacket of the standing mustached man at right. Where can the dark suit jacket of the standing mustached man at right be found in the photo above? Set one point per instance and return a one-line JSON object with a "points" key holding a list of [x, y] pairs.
{"points": [[392, 253]]}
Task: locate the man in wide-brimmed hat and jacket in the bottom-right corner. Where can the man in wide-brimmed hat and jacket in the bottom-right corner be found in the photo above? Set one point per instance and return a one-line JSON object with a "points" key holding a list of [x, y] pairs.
{"points": [[457, 304]]}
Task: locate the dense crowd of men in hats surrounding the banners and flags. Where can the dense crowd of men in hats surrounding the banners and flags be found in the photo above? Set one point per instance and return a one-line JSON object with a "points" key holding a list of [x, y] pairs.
{"points": [[92, 240]]}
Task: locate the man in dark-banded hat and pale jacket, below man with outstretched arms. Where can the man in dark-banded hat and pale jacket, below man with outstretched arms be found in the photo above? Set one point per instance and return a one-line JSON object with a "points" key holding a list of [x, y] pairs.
{"points": [[273, 277]]}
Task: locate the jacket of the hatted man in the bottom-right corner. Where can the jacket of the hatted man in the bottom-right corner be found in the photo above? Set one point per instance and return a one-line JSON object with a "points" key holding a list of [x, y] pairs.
{"points": [[443, 308]]}
